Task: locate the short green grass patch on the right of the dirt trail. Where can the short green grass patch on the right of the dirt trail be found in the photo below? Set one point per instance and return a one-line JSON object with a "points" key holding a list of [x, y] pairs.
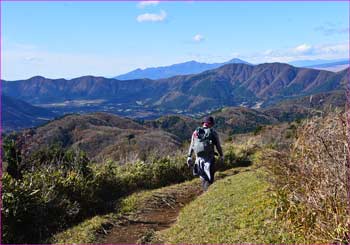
{"points": [[237, 209]]}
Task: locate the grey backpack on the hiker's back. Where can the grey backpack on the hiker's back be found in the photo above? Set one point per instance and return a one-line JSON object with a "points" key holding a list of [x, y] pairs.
{"points": [[204, 142]]}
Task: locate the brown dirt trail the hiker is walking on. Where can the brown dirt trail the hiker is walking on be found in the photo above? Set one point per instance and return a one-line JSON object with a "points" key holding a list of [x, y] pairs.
{"points": [[159, 212]]}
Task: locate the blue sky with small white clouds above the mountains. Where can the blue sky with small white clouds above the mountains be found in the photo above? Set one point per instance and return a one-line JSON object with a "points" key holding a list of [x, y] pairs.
{"points": [[71, 39]]}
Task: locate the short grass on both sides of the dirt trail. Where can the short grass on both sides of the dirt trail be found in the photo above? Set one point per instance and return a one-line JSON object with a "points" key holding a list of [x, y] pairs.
{"points": [[236, 209]]}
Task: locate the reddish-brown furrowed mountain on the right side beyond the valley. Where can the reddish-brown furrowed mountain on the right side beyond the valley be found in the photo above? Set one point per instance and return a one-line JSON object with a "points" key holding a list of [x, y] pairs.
{"points": [[239, 84]]}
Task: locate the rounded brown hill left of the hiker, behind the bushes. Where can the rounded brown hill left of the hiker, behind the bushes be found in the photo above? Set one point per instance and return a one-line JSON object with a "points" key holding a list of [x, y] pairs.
{"points": [[102, 136]]}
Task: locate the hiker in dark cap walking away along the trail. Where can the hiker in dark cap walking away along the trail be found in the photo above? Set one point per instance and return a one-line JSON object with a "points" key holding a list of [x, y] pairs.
{"points": [[202, 144]]}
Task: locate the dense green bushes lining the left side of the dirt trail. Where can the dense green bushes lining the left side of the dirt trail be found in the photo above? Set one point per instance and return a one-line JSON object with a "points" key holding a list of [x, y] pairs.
{"points": [[60, 188]]}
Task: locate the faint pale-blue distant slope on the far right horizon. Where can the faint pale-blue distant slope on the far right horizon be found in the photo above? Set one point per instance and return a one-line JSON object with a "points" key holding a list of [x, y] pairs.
{"points": [[329, 65]]}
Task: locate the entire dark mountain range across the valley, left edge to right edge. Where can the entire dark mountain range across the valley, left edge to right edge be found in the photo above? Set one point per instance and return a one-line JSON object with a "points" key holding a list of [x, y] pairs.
{"points": [[229, 85]]}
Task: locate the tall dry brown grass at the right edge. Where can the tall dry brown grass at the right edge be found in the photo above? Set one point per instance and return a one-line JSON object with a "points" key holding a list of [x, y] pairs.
{"points": [[311, 181]]}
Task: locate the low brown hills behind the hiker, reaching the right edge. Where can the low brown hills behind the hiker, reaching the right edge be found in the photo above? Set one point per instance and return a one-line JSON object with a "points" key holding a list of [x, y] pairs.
{"points": [[102, 135]]}
